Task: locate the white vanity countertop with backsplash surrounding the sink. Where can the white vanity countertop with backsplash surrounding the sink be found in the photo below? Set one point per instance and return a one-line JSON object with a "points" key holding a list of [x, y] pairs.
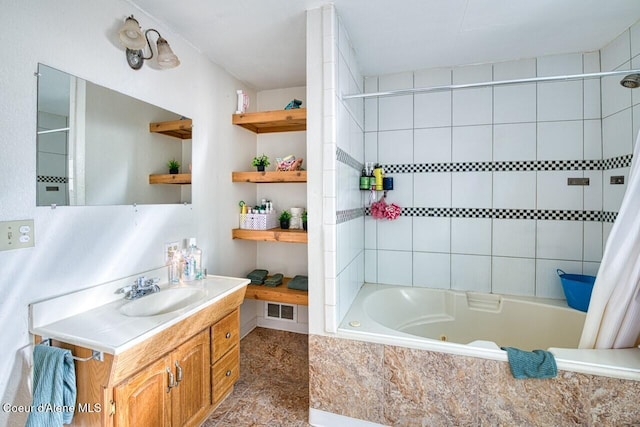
{"points": [[104, 328]]}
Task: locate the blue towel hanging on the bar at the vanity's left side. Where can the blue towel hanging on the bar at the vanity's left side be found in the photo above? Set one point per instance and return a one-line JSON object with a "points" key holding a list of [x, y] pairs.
{"points": [[54, 387]]}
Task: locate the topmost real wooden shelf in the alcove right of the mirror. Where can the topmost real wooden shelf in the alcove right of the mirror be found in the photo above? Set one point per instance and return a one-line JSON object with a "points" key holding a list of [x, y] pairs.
{"points": [[273, 121]]}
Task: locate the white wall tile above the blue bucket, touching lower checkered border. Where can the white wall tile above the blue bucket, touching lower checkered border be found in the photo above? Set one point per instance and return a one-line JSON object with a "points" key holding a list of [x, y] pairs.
{"points": [[559, 240]]}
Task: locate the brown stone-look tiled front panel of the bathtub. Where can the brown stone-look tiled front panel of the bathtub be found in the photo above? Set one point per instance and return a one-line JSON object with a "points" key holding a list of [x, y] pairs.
{"points": [[400, 386]]}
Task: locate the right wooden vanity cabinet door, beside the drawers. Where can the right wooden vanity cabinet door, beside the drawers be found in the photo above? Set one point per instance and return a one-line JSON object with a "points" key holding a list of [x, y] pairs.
{"points": [[191, 398]]}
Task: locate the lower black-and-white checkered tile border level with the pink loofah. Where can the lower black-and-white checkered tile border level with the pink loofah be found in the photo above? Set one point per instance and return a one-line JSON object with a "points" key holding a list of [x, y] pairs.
{"points": [[556, 215]]}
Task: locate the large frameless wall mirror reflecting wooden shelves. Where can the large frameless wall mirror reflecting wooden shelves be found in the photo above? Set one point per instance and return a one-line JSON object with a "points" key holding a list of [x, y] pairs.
{"points": [[96, 146]]}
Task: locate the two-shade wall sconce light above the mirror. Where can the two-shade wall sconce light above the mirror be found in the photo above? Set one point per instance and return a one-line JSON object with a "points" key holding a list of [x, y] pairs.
{"points": [[134, 40]]}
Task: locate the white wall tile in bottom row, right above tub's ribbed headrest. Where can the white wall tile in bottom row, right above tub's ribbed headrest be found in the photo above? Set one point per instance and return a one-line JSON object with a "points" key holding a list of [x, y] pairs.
{"points": [[471, 273]]}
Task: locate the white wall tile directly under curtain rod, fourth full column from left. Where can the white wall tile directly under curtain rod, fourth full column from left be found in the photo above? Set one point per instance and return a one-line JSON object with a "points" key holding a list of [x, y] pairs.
{"points": [[514, 104]]}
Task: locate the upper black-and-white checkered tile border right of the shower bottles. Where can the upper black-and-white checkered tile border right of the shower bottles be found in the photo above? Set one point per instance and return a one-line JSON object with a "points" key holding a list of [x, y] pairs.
{"points": [[518, 166]]}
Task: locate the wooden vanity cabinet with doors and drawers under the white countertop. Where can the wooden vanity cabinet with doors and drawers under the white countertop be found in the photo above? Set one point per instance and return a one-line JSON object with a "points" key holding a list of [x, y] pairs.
{"points": [[176, 377]]}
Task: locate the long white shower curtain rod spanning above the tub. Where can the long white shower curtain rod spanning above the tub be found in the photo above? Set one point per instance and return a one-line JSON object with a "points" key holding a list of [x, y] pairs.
{"points": [[494, 83]]}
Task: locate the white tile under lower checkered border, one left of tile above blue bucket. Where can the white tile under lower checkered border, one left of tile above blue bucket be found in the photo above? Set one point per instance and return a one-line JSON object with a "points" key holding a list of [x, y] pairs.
{"points": [[514, 237]]}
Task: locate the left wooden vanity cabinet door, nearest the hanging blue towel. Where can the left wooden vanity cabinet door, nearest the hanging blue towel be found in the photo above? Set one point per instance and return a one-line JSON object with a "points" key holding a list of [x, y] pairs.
{"points": [[144, 399]]}
